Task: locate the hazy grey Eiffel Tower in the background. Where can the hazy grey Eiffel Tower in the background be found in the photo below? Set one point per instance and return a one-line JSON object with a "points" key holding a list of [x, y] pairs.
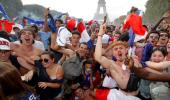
{"points": [[100, 16]]}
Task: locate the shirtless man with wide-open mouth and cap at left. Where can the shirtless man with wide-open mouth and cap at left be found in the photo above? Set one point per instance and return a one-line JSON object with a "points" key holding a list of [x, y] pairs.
{"points": [[26, 52]]}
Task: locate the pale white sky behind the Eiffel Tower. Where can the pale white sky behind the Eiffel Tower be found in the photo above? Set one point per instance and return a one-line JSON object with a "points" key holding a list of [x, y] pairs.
{"points": [[87, 8]]}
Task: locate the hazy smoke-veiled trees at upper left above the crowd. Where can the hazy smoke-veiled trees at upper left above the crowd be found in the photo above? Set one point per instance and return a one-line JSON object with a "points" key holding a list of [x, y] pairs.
{"points": [[16, 8]]}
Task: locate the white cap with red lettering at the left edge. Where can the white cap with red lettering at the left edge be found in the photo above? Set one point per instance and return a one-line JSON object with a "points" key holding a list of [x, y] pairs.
{"points": [[4, 44]]}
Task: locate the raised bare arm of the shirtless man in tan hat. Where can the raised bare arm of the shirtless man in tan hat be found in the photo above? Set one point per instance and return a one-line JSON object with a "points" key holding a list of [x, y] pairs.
{"points": [[98, 50]]}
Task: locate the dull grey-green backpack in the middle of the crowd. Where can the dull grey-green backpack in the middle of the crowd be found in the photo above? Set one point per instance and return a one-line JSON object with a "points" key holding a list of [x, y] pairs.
{"points": [[72, 67]]}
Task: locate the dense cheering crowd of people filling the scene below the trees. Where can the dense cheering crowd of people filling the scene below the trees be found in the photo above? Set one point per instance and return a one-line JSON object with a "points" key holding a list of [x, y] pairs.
{"points": [[52, 63]]}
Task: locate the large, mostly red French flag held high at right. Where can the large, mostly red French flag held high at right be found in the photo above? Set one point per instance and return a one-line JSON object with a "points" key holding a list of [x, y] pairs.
{"points": [[133, 23]]}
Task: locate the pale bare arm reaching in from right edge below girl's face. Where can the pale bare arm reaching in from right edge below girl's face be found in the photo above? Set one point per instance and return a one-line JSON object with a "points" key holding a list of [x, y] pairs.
{"points": [[158, 66]]}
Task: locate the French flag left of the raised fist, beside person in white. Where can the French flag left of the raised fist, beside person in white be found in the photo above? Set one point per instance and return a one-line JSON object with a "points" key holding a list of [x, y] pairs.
{"points": [[79, 24]]}
